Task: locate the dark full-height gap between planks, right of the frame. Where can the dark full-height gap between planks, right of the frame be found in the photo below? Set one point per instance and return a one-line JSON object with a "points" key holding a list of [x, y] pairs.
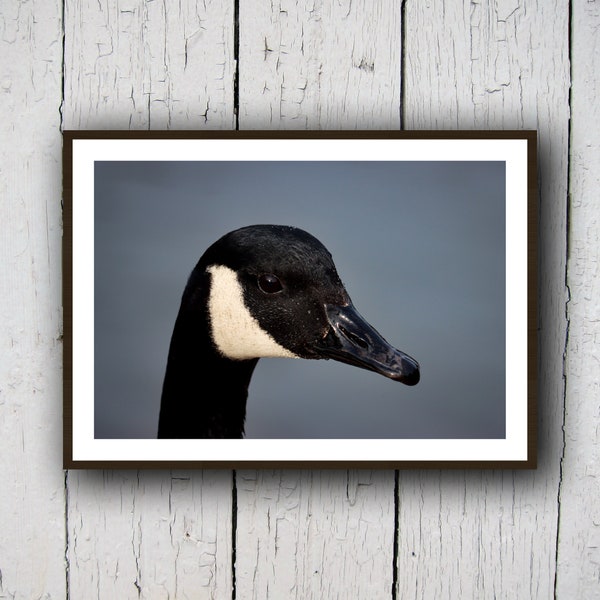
{"points": [[567, 302]]}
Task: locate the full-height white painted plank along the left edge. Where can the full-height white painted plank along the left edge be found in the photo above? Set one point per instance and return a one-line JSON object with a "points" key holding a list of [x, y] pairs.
{"points": [[32, 493]]}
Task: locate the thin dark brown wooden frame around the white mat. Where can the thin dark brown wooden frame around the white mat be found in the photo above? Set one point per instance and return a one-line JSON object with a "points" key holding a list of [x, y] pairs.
{"points": [[532, 285]]}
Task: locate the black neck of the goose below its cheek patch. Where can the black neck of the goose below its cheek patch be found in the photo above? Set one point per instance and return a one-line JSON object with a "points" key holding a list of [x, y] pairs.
{"points": [[204, 394]]}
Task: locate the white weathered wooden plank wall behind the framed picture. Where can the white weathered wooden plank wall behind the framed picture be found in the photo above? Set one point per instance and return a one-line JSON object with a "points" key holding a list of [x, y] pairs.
{"points": [[348, 64]]}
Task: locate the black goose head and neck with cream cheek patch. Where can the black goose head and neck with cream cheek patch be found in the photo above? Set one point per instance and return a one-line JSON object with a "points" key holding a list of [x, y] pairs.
{"points": [[262, 290]]}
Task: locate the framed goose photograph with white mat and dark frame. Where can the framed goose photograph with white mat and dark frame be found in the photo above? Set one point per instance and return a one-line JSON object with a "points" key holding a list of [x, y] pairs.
{"points": [[300, 299]]}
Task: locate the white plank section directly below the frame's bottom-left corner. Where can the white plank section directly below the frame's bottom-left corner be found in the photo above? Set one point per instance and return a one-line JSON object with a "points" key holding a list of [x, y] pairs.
{"points": [[150, 535]]}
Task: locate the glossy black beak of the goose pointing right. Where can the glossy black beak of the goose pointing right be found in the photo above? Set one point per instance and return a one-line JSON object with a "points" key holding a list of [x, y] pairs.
{"points": [[352, 340]]}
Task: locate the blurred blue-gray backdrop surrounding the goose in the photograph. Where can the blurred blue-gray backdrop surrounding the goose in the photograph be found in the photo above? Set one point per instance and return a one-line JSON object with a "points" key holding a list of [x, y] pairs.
{"points": [[419, 245]]}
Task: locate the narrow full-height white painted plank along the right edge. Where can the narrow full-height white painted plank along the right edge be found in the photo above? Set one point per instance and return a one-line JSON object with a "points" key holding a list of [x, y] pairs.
{"points": [[579, 530]]}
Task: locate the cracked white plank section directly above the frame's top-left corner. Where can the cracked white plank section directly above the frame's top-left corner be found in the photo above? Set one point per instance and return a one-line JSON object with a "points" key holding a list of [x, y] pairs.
{"points": [[137, 65]]}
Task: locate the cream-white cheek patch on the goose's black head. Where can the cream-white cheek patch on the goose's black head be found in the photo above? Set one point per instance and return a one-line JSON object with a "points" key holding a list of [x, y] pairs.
{"points": [[235, 332]]}
